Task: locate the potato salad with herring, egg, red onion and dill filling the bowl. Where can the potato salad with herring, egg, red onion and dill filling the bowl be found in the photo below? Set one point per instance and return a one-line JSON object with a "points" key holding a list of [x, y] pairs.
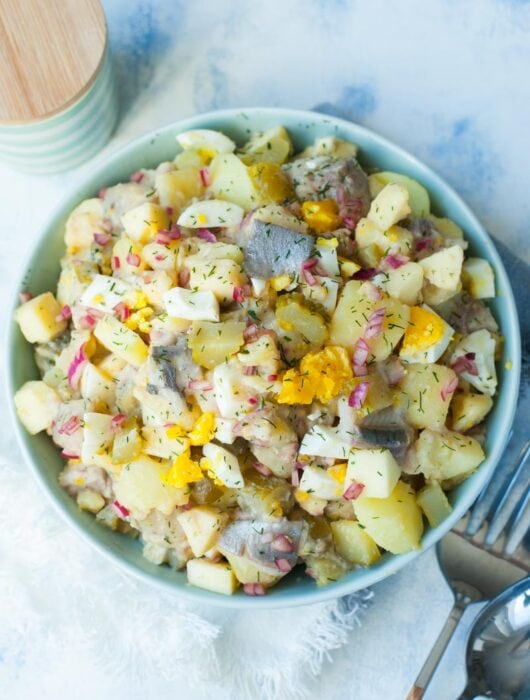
{"points": [[261, 358]]}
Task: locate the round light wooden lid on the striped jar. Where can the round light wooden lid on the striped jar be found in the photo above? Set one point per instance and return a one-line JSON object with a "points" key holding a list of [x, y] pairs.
{"points": [[50, 53]]}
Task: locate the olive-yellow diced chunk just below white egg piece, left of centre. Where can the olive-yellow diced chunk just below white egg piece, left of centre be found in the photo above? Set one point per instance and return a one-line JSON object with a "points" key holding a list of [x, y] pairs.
{"points": [[213, 343]]}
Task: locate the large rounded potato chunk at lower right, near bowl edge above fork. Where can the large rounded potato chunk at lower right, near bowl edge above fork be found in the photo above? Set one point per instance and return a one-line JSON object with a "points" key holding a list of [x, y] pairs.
{"points": [[447, 456]]}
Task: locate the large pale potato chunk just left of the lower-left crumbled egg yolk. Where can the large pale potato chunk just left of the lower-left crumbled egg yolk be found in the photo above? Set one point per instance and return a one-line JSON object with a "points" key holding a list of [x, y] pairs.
{"points": [[139, 487]]}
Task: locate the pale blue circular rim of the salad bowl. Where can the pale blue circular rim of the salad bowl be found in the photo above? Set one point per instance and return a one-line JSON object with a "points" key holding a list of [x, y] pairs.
{"points": [[370, 576]]}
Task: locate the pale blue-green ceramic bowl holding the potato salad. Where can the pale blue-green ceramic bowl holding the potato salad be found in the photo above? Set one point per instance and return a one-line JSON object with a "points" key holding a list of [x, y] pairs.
{"points": [[42, 272]]}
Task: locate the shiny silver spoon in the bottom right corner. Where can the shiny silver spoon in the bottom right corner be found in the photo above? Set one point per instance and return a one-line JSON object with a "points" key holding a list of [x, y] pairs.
{"points": [[498, 647]]}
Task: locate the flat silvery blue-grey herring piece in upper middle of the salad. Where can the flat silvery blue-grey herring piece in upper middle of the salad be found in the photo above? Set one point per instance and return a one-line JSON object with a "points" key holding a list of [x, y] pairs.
{"points": [[274, 250]]}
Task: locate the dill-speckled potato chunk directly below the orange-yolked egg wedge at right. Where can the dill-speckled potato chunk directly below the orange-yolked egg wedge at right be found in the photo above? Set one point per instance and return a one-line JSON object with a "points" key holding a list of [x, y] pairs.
{"points": [[421, 397]]}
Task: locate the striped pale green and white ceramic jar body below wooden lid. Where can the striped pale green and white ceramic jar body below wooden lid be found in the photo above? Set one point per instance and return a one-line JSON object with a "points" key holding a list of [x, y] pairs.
{"points": [[68, 138]]}
